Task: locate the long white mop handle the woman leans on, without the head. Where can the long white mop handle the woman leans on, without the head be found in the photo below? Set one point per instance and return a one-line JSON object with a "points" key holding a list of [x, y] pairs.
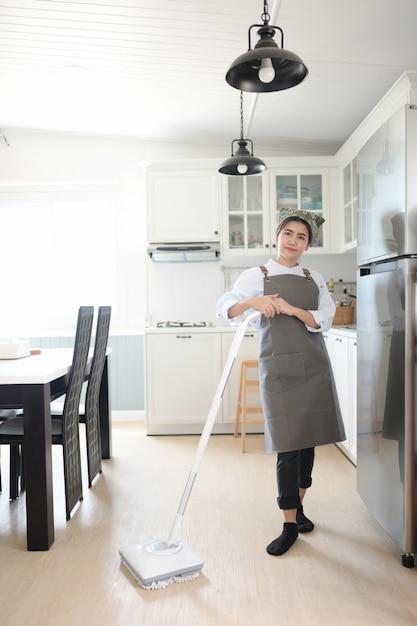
{"points": [[208, 426]]}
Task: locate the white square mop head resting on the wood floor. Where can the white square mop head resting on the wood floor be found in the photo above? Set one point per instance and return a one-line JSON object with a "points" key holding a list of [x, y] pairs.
{"points": [[157, 565]]}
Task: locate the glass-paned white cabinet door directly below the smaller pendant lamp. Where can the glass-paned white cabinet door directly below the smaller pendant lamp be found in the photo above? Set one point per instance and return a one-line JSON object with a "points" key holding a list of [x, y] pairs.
{"points": [[246, 226]]}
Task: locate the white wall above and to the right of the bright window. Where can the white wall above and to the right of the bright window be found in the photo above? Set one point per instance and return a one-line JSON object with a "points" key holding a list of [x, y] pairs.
{"points": [[48, 160]]}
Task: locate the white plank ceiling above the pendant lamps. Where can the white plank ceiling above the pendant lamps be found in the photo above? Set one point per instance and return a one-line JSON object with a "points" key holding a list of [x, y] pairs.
{"points": [[156, 71]]}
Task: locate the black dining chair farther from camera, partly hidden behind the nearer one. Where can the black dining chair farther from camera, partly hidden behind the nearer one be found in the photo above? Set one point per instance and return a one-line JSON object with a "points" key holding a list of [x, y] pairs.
{"points": [[89, 411]]}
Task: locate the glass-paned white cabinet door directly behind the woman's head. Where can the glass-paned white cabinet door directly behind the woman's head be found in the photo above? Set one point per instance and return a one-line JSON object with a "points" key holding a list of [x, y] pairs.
{"points": [[300, 189]]}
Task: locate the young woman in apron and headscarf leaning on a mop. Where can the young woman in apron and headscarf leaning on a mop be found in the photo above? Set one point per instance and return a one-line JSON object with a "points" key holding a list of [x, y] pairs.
{"points": [[297, 387]]}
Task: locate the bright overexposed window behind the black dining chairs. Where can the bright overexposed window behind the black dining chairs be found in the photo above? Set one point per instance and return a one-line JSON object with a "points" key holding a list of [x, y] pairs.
{"points": [[58, 252]]}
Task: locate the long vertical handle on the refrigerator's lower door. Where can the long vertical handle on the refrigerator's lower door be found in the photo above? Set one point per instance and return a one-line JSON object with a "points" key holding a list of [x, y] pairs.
{"points": [[410, 412]]}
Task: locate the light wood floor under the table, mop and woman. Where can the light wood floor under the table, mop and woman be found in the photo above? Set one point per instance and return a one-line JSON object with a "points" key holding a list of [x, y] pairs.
{"points": [[346, 572]]}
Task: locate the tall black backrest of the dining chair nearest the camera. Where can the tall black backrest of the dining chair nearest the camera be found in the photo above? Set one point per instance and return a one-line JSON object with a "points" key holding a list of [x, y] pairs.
{"points": [[70, 415]]}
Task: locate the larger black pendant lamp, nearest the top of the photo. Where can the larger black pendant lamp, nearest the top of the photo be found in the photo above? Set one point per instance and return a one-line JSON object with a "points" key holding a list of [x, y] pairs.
{"points": [[267, 67]]}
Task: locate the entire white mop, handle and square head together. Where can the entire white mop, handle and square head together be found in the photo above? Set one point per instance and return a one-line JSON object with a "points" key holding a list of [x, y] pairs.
{"points": [[157, 564]]}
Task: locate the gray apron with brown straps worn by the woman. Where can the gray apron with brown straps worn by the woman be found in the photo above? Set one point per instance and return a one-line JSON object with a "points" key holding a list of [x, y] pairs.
{"points": [[298, 393]]}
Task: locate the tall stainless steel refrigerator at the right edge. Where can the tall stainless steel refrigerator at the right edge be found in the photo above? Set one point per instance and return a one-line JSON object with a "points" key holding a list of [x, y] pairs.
{"points": [[386, 179]]}
